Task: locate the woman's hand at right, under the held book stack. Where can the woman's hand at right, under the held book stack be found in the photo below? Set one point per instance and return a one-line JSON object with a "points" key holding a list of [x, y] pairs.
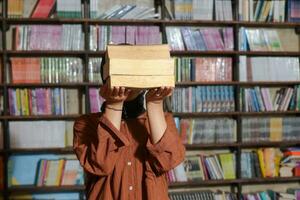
{"points": [[158, 94]]}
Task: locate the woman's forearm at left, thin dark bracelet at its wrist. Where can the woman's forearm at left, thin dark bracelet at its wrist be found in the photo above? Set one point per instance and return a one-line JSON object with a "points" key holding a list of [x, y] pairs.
{"points": [[113, 112]]}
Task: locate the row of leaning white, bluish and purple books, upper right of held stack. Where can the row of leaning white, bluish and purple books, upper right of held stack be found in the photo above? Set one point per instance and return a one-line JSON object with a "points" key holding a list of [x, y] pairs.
{"points": [[201, 39]]}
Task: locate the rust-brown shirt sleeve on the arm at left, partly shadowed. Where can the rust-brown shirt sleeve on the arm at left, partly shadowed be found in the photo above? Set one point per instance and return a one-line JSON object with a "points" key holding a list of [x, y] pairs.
{"points": [[97, 144]]}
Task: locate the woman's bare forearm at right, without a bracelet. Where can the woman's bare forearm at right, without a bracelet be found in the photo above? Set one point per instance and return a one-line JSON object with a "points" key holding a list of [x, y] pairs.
{"points": [[157, 120]]}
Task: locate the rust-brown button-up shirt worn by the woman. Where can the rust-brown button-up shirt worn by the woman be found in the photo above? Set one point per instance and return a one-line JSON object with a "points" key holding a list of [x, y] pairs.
{"points": [[125, 164]]}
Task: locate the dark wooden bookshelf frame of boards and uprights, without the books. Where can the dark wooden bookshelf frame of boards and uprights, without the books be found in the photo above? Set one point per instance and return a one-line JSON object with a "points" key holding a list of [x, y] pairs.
{"points": [[237, 184]]}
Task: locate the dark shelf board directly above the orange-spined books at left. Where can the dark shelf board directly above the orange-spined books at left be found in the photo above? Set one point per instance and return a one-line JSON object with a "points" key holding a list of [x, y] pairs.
{"points": [[44, 53]]}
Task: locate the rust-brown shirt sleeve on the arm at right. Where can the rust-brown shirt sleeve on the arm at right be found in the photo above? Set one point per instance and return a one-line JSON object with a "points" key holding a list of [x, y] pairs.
{"points": [[169, 151]]}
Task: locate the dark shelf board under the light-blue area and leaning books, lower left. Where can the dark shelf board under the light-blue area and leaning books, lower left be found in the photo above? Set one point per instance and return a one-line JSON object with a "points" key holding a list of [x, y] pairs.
{"points": [[44, 189]]}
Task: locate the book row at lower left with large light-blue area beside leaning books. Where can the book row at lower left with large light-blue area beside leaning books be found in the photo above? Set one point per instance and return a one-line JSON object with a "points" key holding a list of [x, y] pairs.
{"points": [[44, 170]]}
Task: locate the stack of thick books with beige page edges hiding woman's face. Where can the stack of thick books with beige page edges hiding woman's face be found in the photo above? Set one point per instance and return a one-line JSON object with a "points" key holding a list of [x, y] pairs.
{"points": [[139, 66]]}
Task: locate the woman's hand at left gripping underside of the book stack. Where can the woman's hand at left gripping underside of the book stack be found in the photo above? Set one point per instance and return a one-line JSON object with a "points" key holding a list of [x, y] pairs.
{"points": [[115, 94]]}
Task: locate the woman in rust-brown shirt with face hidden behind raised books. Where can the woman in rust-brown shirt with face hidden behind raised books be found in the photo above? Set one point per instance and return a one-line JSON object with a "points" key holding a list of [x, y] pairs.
{"points": [[126, 151]]}
